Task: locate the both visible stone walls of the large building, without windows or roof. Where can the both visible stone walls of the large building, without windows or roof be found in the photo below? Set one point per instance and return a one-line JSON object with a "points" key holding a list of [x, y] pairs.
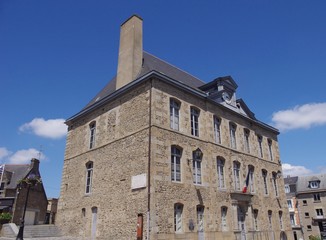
{"points": [[122, 151]]}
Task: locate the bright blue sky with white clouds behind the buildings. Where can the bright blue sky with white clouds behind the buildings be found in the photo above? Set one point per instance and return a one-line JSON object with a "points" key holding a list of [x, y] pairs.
{"points": [[56, 55]]}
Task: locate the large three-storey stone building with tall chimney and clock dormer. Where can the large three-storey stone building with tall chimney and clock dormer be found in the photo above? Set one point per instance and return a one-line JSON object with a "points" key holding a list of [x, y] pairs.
{"points": [[160, 154]]}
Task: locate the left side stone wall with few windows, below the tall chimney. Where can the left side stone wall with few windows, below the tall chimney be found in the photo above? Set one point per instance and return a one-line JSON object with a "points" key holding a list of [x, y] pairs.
{"points": [[120, 152]]}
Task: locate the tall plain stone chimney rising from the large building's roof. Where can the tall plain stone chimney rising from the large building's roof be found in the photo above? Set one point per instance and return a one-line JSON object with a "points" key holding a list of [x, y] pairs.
{"points": [[130, 51]]}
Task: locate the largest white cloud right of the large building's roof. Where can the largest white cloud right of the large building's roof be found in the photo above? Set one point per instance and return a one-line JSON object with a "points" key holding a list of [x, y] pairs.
{"points": [[305, 116]]}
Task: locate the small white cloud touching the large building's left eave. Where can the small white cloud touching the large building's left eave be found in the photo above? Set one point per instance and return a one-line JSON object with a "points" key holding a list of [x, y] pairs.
{"points": [[52, 128]]}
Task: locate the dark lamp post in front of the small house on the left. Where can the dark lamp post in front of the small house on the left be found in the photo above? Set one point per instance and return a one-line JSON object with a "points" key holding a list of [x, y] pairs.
{"points": [[31, 180]]}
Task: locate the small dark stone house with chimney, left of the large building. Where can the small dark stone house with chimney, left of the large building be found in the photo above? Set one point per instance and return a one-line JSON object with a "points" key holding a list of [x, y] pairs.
{"points": [[13, 196]]}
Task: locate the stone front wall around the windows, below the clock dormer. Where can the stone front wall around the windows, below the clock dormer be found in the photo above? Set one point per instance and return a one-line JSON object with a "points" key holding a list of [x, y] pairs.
{"points": [[166, 193]]}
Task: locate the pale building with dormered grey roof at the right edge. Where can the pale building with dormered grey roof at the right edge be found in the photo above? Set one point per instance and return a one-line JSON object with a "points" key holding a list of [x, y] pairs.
{"points": [[311, 197]]}
